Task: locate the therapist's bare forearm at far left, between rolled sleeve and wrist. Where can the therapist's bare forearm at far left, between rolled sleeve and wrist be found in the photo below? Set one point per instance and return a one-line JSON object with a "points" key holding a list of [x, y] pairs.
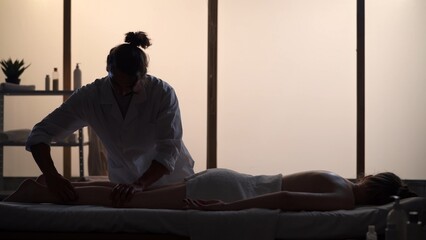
{"points": [[41, 155]]}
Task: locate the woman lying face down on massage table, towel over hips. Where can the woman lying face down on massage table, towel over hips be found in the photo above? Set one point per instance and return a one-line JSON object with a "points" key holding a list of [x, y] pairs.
{"points": [[223, 189]]}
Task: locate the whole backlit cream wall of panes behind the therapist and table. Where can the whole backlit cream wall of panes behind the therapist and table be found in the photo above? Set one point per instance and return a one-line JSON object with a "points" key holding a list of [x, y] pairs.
{"points": [[286, 78]]}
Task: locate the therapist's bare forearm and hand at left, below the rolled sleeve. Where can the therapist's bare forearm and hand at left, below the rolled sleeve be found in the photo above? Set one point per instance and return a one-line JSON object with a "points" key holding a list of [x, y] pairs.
{"points": [[54, 181]]}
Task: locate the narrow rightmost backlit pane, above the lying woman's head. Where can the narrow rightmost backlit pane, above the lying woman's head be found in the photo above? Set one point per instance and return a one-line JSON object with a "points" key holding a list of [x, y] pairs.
{"points": [[396, 87]]}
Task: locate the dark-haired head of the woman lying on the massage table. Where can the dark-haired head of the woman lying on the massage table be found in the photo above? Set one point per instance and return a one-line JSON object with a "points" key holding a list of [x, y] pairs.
{"points": [[380, 187]]}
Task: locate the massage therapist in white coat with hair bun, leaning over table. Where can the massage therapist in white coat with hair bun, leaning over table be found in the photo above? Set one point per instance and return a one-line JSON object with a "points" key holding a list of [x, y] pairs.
{"points": [[135, 115]]}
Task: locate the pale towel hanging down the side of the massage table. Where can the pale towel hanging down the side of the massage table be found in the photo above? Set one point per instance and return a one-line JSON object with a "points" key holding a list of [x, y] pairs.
{"points": [[249, 224]]}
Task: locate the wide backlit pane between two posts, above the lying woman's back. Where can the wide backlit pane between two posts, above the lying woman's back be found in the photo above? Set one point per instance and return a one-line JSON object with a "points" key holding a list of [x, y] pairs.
{"points": [[287, 86]]}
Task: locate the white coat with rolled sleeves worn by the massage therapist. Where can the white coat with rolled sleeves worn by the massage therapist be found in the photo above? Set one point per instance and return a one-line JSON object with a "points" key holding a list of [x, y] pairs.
{"points": [[151, 129]]}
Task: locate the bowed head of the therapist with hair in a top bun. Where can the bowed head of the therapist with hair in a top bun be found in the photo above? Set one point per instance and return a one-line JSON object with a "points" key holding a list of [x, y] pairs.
{"points": [[129, 58]]}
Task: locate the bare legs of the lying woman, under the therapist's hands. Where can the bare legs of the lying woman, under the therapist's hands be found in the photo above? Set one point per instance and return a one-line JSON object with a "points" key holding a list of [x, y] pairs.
{"points": [[168, 197]]}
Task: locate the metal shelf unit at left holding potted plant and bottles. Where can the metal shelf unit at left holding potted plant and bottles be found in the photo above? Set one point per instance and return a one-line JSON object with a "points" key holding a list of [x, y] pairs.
{"points": [[80, 141]]}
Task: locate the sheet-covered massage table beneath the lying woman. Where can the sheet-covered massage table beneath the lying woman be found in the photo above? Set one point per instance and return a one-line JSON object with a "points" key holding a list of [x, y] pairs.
{"points": [[53, 221]]}
